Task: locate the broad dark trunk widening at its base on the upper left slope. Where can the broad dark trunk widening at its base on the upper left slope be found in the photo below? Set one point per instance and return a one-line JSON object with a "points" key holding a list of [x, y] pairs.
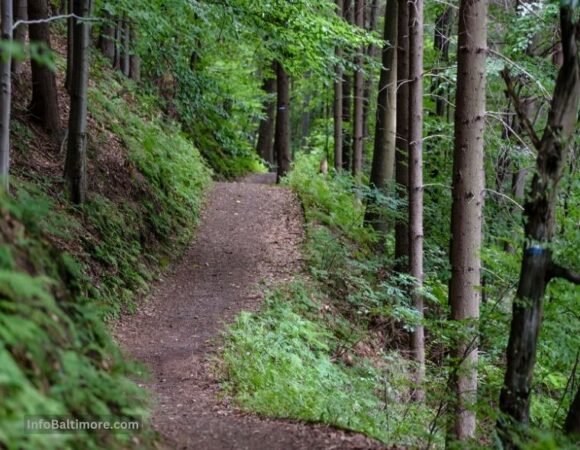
{"points": [[44, 104]]}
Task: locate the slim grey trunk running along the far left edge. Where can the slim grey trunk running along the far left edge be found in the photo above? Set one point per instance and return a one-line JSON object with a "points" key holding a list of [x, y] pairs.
{"points": [[5, 94]]}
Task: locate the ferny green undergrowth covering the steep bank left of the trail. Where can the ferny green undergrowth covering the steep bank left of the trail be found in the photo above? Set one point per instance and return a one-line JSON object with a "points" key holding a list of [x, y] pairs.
{"points": [[65, 270]]}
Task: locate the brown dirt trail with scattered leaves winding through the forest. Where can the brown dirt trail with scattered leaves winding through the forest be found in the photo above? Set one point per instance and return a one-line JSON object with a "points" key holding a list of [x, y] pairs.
{"points": [[250, 231]]}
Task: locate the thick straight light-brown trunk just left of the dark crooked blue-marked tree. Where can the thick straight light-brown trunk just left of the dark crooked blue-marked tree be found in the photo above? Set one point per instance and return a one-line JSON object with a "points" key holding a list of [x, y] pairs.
{"points": [[467, 211]]}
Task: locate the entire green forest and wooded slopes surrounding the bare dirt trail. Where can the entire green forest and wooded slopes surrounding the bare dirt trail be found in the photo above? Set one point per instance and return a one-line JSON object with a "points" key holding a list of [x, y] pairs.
{"points": [[434, 148]]}
